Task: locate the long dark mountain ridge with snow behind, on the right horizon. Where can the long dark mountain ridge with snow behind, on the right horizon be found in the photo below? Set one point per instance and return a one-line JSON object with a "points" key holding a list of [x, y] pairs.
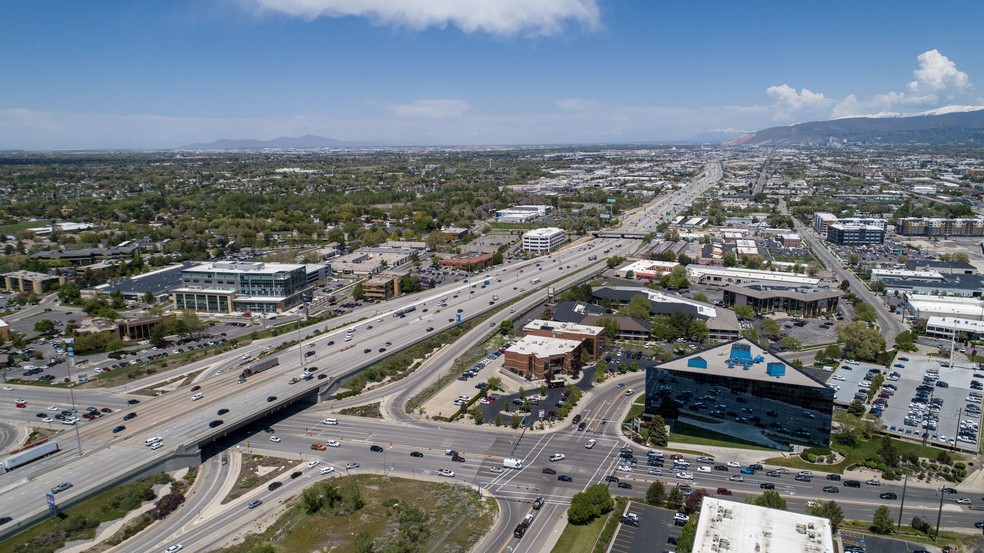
{"points": [[955, 125]]}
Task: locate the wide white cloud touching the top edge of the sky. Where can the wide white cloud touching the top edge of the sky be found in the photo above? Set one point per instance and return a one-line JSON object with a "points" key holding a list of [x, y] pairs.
{"points": [[498, 17]]}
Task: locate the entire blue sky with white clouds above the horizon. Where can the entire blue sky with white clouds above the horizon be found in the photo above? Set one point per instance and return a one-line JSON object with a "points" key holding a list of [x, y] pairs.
{"points": [[142, 74]]}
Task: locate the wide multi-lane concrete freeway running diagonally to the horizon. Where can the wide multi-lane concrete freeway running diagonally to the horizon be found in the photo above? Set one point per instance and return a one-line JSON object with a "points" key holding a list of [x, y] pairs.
{"points": [[183, 421]]}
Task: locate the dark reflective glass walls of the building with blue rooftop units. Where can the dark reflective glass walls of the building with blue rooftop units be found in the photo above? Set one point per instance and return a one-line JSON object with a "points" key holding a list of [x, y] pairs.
{"points": [[765, 412]]}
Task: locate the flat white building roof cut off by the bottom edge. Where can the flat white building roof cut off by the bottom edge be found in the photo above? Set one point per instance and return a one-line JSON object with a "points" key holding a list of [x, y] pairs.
{"points": [[731, 526]]}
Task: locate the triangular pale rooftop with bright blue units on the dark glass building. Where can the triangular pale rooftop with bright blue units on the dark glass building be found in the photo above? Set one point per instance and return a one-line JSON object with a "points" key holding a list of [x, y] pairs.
{"points": [[741, 359]]}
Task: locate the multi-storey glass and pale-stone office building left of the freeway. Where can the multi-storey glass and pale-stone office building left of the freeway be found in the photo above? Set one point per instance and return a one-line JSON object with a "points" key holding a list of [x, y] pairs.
{"points": [[232, 287]]}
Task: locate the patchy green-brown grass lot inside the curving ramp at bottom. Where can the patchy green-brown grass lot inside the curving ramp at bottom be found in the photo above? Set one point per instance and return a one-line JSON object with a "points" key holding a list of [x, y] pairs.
{"points": [[455, 518]]}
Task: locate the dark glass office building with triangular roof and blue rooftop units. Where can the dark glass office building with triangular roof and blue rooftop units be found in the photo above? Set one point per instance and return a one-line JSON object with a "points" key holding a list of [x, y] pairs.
{"points": [[741, 392]]}
